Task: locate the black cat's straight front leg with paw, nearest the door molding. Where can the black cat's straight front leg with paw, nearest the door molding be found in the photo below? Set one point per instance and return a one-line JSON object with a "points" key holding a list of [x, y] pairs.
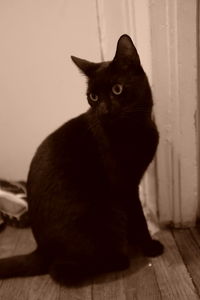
{"points": [[138, 230]]}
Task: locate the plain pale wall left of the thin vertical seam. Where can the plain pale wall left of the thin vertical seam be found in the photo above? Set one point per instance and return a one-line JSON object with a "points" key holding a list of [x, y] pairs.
{"points": [[40, 88]]}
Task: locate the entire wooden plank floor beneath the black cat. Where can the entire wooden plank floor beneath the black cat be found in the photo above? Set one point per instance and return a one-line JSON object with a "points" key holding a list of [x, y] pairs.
{"points": [[174, 275]]}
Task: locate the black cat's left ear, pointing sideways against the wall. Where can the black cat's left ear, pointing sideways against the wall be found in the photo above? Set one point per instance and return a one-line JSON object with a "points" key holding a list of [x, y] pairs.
{"points": [[85, 66]]}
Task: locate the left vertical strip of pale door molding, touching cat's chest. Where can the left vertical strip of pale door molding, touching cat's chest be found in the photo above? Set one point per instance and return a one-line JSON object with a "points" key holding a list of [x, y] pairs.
{"points": [[161, 93]]}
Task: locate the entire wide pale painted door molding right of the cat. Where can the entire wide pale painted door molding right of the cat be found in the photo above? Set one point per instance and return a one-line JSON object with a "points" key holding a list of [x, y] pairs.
{"points": [[174, 53]]}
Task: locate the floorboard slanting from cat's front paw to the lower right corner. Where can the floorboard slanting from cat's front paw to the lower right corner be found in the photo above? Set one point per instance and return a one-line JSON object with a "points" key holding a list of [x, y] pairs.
{"points": [[173, 278]]}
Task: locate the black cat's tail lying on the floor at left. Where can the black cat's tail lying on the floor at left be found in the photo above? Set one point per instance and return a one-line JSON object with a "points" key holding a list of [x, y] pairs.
{"points": [[23, 265]]}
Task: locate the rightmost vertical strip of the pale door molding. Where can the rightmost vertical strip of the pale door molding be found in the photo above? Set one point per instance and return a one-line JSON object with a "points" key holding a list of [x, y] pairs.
{"points": [[187, 69]]}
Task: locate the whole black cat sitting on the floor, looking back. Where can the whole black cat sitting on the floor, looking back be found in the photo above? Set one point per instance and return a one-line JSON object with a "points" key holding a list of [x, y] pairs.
{"points": [[83, 181]]}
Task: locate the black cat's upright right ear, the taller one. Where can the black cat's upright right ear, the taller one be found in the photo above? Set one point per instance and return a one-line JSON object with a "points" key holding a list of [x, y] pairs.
{"points": [[126, 50]]}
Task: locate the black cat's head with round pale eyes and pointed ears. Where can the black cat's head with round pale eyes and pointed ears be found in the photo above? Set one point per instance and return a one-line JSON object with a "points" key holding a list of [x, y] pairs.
{"points": [[118, 86]]}
